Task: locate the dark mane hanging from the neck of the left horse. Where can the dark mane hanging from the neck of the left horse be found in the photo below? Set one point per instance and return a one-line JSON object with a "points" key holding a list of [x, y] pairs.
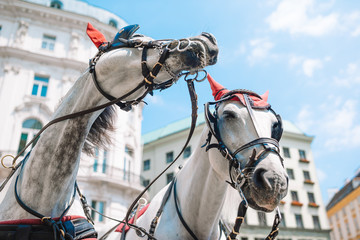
{"points": [[99, 135]]}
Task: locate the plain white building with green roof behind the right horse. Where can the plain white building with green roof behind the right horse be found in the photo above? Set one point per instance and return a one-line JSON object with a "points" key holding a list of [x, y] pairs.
{"points": [[303, 211]]}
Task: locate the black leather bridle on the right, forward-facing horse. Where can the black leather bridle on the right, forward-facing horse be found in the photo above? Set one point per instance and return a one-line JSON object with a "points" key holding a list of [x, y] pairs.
{"points": [[268, 144]]}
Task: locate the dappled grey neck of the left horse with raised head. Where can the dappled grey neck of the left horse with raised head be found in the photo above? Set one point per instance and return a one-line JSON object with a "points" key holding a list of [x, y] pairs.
{"points": [[48, 176]]}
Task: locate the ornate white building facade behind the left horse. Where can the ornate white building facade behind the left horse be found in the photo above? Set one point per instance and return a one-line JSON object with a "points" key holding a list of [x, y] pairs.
{"points": [[43, 50]]}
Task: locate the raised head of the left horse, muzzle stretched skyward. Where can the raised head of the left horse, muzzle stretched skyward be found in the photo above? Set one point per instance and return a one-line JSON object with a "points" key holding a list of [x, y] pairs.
{"points": [[159, 62]]}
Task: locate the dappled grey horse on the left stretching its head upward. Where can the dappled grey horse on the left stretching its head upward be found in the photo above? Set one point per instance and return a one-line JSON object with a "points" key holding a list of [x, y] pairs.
{"points": [[46, 180]]}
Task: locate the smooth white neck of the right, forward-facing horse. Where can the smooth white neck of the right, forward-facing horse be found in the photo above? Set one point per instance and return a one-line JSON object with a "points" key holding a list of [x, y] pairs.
{"points": [[201, 193]]}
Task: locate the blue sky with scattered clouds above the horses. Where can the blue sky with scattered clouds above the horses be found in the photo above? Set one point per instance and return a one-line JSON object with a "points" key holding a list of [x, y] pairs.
{"points": [[306, 53]]}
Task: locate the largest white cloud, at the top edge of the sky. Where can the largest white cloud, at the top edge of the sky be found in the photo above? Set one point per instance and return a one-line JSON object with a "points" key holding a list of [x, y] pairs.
{"points": [[299, 17]]}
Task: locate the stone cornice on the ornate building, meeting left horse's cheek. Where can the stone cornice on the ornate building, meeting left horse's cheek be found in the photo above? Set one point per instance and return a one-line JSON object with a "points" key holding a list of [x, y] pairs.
{"points": [[9, 52]]}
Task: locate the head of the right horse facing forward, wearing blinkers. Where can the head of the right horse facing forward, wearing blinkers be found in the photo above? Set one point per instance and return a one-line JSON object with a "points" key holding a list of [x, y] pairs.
{"points": [[248, 131]]}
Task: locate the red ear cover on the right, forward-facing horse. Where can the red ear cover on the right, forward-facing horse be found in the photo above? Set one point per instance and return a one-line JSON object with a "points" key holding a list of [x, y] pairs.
{"points": [[218, 91]]}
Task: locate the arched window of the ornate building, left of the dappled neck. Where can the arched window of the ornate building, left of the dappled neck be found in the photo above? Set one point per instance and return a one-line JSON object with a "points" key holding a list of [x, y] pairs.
{"points": [[30, 128]]}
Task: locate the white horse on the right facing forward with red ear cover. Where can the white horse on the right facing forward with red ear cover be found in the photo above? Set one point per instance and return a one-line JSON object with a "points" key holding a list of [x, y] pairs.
{"points": [[247, 132]]}
